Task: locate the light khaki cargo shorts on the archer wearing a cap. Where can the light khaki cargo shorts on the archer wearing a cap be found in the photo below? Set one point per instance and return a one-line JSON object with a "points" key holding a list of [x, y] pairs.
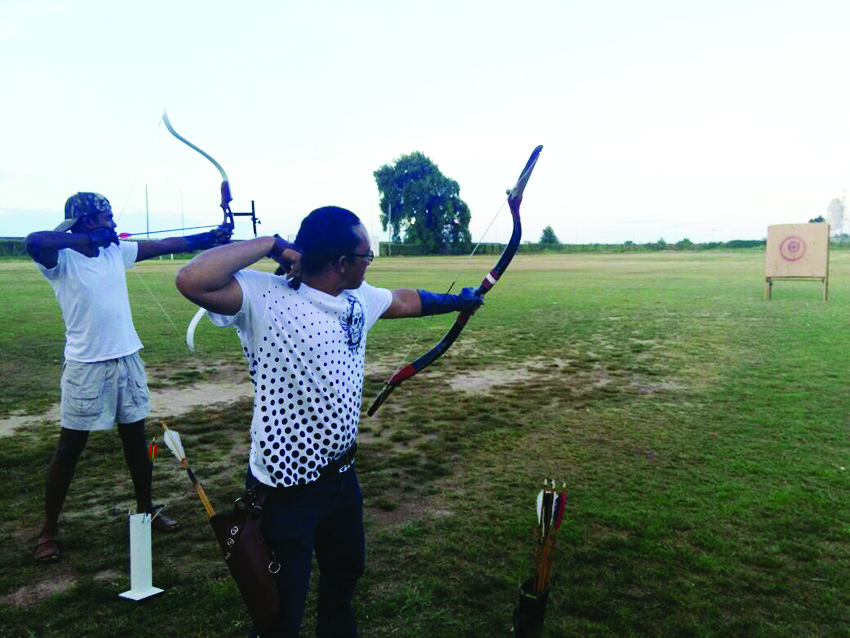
{"points": [[96, 395]]}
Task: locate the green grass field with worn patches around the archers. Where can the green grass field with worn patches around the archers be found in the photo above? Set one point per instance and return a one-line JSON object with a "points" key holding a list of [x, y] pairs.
{"points": [[701, 431]]}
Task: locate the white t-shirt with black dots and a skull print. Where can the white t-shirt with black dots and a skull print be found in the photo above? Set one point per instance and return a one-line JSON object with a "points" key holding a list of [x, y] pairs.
{"points": [[305, 352]]}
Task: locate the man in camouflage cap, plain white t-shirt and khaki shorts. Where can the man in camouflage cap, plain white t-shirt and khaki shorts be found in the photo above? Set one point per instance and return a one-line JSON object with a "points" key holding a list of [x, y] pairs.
{"points": [[103, 377]]}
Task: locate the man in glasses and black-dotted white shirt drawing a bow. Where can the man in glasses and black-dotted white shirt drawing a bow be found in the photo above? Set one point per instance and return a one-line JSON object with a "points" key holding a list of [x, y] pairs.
{"points": [[304, 336]]}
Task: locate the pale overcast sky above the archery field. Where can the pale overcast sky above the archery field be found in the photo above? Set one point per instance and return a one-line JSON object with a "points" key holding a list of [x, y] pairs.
{"points": [[705, 119]]}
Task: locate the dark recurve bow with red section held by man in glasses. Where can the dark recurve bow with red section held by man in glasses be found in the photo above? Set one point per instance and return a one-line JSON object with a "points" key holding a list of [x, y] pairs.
{"points": [[514, 201]]}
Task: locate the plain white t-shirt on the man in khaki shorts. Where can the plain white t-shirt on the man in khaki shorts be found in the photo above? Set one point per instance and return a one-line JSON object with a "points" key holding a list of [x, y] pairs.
{"points": [[92, 293]]}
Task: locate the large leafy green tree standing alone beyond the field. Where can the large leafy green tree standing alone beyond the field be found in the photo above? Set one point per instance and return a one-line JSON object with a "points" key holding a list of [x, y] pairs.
{"points": [[423, 204]]}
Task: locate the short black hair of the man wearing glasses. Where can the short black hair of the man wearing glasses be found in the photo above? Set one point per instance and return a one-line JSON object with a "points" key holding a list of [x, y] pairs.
{"points": [[326, 234]]}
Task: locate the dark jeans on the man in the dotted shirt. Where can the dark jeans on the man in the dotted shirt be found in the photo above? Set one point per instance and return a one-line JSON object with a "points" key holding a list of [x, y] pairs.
{"points": [[326, 516]]}
